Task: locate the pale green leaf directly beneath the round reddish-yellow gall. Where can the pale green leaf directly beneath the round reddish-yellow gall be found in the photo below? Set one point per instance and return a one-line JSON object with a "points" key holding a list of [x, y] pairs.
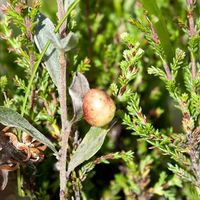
{"points": [[89, 146]]}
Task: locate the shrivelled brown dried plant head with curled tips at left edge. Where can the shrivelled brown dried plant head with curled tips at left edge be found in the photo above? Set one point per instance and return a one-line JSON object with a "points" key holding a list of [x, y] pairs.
{"points": [[13, 152]]}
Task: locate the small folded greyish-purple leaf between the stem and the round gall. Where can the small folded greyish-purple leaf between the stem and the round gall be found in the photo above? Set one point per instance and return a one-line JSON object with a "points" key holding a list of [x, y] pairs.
{"points": [[77, 90]]}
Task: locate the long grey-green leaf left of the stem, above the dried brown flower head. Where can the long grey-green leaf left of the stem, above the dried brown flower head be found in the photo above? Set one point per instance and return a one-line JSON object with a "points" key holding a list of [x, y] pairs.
{"points": [[11, 118]]}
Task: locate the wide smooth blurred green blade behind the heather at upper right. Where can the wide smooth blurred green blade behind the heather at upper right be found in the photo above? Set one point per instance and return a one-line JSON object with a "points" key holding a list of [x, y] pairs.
{"points": [[160, 27]]}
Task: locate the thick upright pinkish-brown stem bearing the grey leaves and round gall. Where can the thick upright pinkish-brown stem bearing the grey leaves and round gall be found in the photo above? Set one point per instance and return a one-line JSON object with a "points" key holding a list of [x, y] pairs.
{"points": [[63, 102]]}
